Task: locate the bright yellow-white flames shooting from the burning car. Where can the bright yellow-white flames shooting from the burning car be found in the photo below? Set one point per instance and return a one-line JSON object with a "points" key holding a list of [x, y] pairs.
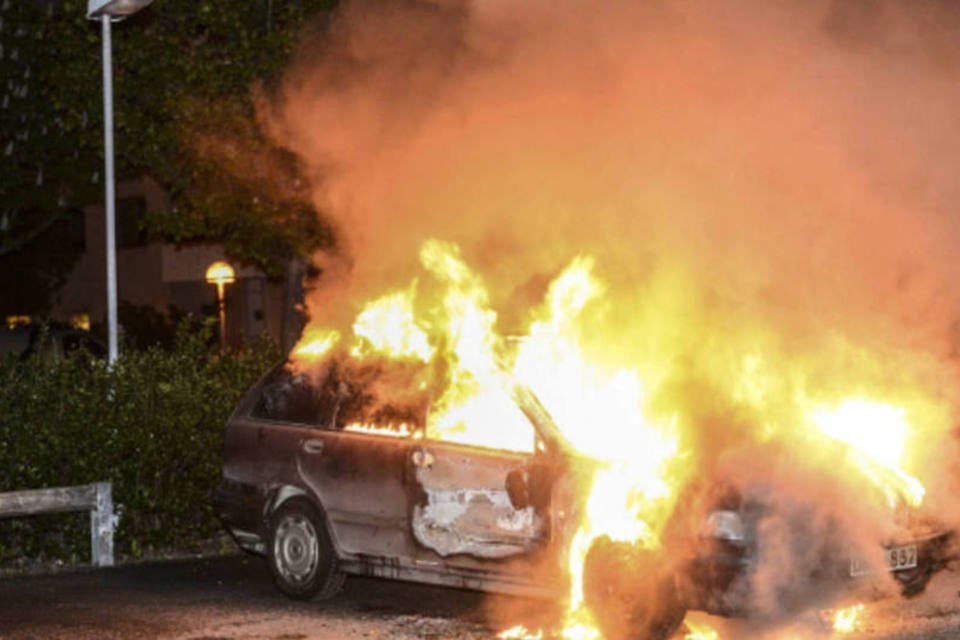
{"points": [[603, 411]]}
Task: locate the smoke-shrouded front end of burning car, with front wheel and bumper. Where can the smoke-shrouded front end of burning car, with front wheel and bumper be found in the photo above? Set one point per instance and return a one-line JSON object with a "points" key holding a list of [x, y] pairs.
{"points": [[714, 567]]}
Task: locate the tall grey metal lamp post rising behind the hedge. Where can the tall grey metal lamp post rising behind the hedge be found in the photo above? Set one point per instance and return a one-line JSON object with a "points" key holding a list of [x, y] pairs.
{"points": [[107, 11]]}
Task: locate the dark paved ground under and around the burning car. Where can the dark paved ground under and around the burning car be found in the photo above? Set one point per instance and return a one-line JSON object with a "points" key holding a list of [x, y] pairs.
{"points": [[233, 599]]}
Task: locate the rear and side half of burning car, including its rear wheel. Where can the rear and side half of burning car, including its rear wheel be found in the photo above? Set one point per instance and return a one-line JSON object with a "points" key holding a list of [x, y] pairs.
{"points": [[321, 496]]}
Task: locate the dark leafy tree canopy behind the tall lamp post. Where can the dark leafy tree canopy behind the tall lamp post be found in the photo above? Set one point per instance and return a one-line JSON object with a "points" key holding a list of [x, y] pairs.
{"points": [[184, 113]]}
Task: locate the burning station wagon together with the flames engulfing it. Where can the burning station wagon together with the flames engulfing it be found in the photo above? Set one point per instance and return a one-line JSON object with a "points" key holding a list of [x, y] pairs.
{"points": [[426, 446]]}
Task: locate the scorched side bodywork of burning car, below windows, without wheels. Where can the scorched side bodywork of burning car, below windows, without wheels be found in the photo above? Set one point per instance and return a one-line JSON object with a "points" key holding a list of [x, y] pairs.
{"points": [[371, 491]]}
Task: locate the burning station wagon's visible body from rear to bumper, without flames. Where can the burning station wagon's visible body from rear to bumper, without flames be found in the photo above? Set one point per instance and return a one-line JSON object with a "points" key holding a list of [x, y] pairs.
{"points": [[322, 498]]}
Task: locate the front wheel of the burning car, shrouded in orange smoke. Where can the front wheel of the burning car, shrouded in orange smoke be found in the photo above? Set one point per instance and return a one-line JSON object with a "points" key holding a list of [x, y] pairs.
{"points": [[629, 592]]}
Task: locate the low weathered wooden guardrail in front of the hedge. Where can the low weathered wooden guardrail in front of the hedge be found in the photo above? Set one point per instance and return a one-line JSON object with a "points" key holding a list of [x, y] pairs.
{"points": [[96, 497]]}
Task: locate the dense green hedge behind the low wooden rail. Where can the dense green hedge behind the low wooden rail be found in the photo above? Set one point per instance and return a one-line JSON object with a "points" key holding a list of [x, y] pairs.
{"points": [[151, 425]]}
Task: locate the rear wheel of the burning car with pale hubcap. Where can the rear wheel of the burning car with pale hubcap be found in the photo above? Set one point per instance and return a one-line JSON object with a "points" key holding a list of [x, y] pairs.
{"points": [[300, 553]]}
